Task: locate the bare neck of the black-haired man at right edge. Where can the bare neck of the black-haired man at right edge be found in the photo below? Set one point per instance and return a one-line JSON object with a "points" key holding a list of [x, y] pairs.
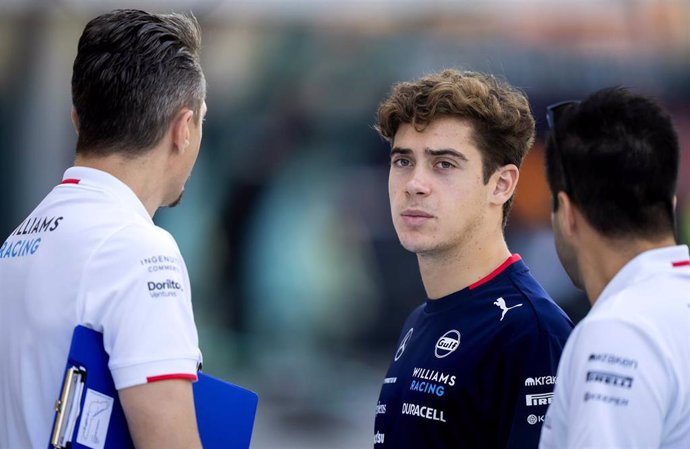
{"points": [[602, 258]]}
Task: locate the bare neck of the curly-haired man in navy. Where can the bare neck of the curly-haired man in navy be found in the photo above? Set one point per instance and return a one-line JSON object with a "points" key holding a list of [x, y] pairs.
{"points": [[449, 271]]}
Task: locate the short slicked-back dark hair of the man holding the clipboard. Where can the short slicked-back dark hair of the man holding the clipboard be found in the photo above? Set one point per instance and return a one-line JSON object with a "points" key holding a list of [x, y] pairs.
{"points": [[133, 72]]}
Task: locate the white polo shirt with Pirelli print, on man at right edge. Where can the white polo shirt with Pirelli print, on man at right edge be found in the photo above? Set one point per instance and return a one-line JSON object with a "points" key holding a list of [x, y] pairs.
{"points": [[624, 376]]}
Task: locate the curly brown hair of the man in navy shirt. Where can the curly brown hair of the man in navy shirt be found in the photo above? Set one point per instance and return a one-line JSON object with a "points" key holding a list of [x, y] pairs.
{"points": [[502, 123]]}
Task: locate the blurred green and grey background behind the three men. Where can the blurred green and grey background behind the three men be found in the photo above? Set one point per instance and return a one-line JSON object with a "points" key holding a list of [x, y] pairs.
{"points": [[299, 284]]}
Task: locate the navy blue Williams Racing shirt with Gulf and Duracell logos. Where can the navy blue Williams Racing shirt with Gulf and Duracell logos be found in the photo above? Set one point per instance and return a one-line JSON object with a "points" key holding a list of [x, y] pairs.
{"points": [[474, 369]]}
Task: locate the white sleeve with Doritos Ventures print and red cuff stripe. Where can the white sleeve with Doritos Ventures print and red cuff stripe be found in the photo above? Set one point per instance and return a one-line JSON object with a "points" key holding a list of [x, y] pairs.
{"points": [[136, 292]]}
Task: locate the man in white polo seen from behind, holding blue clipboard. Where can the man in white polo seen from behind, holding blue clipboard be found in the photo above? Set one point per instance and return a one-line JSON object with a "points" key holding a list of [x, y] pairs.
{"points": [[90, 253]]}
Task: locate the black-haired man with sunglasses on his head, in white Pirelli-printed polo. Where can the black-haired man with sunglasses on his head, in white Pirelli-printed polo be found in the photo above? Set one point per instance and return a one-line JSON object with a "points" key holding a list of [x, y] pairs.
{"points": [[624, 376]]}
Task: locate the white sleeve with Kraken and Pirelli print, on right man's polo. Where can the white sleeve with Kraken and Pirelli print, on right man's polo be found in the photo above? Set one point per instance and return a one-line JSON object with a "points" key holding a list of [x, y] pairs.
{"points": [[618, 388]]}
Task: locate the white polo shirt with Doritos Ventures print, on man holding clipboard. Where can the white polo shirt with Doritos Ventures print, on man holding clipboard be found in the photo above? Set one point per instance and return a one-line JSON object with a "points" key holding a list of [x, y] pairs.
{"points": [[88, 254]]}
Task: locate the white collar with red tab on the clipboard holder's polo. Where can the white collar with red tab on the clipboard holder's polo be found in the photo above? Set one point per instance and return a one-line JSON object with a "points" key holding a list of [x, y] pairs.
{"points": [[94, 178]]}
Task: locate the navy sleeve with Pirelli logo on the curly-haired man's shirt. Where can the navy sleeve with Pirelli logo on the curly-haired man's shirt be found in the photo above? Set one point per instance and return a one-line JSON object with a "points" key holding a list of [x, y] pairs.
{"points": [[531, 364]]}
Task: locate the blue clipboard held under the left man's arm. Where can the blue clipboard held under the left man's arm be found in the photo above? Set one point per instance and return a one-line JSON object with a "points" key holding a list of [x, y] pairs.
{"points": [[88, 414]]}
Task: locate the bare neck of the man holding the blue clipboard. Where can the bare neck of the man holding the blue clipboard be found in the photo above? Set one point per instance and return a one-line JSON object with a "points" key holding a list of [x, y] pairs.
{"points": [[139, 173]]}
